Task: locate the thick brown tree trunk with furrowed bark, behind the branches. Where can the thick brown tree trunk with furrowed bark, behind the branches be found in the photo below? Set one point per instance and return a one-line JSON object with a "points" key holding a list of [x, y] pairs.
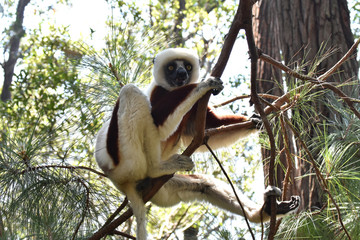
{"points": [[297, 30]]}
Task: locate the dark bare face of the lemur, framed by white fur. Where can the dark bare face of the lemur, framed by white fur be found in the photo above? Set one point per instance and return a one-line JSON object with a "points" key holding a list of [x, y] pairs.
{"points": [[178, 72]]}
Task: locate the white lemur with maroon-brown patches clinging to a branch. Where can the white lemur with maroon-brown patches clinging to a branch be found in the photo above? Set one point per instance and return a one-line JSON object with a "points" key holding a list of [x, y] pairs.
{"points": [[142, 140]]}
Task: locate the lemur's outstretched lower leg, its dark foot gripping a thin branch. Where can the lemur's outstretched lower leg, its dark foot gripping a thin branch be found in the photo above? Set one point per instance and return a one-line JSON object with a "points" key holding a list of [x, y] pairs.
{"points": [[204, 188]]}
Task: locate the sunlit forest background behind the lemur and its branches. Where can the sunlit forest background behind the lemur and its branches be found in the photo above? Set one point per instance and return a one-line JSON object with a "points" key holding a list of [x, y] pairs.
{"points": [[63, 84]]}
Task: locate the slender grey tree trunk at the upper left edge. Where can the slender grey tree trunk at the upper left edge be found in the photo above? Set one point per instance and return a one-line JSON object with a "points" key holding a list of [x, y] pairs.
{"points": [[9, 65]]}
